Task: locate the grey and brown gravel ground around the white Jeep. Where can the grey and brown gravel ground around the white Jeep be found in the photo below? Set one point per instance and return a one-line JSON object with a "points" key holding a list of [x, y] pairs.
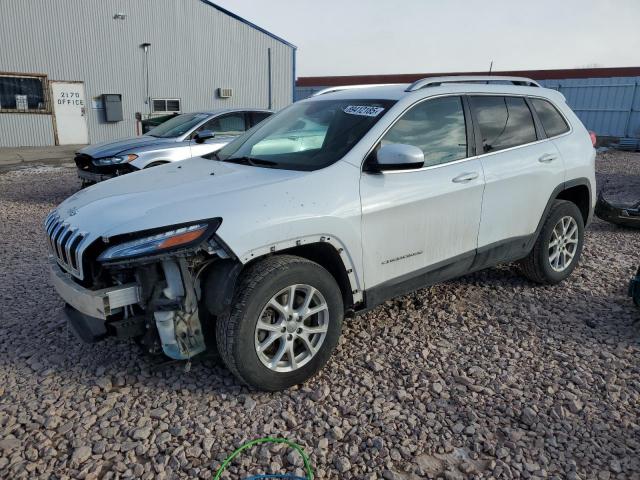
{"points": [[488, 376]]}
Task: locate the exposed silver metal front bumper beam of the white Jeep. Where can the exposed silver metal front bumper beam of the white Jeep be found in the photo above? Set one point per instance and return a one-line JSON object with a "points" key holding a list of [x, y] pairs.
{"points": [[93, 303]]}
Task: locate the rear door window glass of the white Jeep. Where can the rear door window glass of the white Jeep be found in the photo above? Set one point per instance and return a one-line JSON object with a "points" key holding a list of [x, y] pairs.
{"points": [[504, 122]]}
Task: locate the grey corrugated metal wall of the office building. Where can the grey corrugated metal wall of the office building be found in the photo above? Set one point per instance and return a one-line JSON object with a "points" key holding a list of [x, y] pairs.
{"points": [[195, 49]]}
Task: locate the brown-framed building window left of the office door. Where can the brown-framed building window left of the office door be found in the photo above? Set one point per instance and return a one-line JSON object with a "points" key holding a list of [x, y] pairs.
{"points": [[23, 93]]}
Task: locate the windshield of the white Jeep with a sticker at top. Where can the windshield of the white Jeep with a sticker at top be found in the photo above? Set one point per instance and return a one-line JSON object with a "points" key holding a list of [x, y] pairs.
{"points": [[306, 135]]}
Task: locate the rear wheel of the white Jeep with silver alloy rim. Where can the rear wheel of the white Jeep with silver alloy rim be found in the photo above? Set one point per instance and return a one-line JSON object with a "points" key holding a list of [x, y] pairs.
{"points": [[558, 247]]}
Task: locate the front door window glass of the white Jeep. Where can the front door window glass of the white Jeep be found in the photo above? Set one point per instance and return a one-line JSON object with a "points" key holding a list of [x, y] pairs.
{"points": [[436, 127]]}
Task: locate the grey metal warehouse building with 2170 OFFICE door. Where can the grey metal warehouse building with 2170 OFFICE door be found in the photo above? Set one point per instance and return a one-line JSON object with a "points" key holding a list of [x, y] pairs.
{"points": [[77, 71]]}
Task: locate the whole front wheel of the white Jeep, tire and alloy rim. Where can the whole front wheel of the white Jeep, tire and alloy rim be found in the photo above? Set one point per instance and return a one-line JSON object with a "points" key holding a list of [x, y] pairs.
{"points": [[284, 324]]}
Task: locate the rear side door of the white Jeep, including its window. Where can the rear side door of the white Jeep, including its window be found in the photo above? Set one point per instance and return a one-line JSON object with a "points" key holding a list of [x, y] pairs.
{"points": [[522, 168]]}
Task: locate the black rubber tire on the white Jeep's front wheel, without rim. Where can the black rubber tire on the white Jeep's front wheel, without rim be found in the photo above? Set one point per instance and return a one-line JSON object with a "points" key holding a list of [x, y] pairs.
{"points": [[235, 333]]}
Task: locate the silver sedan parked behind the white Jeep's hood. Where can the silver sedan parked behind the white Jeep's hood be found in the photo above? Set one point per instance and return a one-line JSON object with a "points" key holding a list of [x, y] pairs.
{"points": [[181, 137]]}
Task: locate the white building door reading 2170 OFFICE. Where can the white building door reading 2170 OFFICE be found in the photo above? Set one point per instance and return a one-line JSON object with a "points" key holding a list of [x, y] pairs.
{"points": [[69, 108]]}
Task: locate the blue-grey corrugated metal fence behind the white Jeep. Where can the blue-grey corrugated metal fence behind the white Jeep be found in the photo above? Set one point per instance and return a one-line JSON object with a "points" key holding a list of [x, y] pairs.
{"points": [[608, 106]]}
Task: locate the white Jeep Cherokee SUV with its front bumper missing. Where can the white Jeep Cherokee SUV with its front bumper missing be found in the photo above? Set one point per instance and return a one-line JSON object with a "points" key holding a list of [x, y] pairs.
{"points": [[328, 208]]}
